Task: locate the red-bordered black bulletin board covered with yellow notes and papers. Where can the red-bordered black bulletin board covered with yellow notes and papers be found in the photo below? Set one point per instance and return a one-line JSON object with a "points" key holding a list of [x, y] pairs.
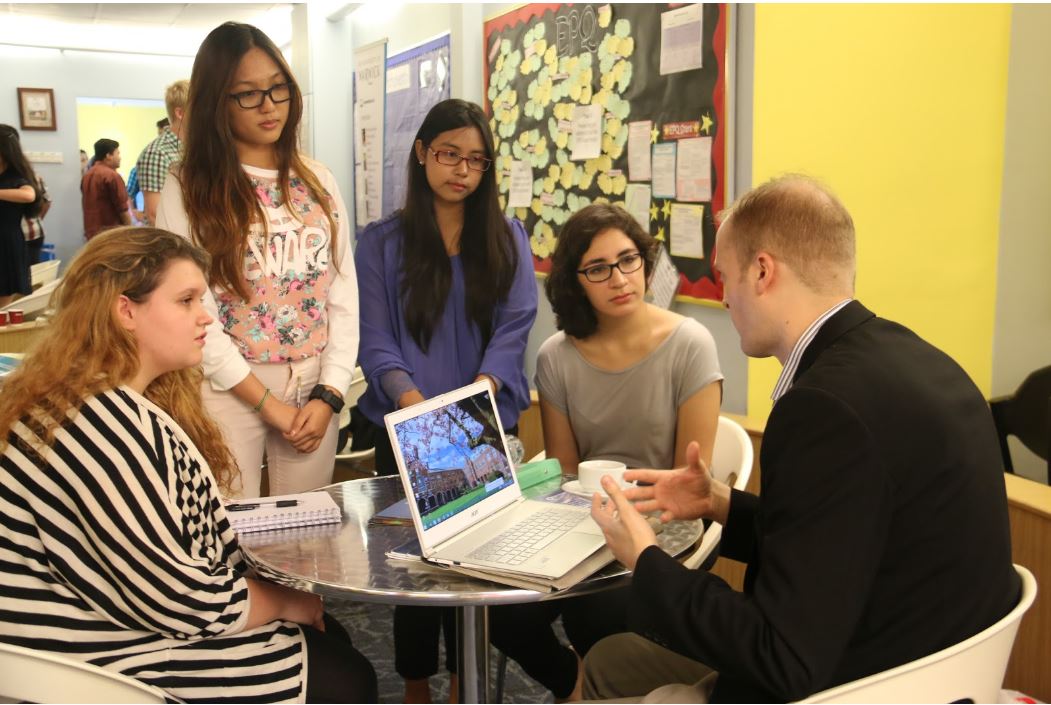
{"points": [[638, 63]]}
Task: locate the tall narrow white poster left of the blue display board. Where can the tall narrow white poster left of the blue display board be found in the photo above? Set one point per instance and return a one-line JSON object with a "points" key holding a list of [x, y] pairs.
{"points": [[369, 80]]}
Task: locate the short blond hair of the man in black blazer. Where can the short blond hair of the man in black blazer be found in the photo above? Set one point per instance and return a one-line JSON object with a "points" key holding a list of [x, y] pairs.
{"points": [[799, 221]]}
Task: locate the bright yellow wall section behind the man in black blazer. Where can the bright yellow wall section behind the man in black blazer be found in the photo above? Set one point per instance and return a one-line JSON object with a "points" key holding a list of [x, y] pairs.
{"points": [[900, 110]]}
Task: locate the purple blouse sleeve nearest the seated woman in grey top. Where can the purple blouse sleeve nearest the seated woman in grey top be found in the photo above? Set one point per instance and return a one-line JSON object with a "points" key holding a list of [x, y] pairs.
{"points": [[505, 357]]}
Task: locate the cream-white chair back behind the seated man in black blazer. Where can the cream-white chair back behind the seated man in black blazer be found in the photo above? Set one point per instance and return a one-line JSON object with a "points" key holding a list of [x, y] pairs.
{"points": [[972, 671]]}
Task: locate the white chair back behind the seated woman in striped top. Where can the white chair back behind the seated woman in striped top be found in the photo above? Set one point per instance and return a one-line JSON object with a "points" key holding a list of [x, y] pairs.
{"points": [[38, 677]]}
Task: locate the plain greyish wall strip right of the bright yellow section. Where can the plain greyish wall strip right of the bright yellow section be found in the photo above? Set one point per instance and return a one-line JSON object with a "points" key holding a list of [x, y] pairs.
{"points": [[1022, 339]]}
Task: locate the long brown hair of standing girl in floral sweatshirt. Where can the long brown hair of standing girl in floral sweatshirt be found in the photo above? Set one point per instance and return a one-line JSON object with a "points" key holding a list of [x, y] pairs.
{"points": [[218, 196]]}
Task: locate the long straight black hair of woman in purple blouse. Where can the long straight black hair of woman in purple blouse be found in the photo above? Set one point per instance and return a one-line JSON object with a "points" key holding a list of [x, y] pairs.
{"points": [[487, 246]]}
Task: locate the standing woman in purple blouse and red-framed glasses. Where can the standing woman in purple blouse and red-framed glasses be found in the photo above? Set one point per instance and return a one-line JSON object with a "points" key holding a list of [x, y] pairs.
{"points": [[448, 299]]}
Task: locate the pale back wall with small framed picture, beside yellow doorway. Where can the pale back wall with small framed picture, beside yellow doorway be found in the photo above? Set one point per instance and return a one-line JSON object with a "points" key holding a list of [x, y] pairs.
{"points": [[72, 75]]}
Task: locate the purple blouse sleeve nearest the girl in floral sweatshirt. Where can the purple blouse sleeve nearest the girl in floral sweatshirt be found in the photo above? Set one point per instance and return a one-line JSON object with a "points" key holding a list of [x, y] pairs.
{"points": [[380, 351]]}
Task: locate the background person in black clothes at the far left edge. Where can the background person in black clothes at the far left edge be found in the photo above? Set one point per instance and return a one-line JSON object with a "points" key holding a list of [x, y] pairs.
{"points": [[19, 197]]}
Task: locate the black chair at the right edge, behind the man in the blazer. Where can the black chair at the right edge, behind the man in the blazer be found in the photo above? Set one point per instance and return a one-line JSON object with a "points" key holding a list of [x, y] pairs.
{"points": [[1026, 416]]}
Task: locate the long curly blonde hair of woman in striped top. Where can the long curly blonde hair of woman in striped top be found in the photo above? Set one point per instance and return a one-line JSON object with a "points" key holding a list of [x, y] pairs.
{"points": [[87, 351]]}
